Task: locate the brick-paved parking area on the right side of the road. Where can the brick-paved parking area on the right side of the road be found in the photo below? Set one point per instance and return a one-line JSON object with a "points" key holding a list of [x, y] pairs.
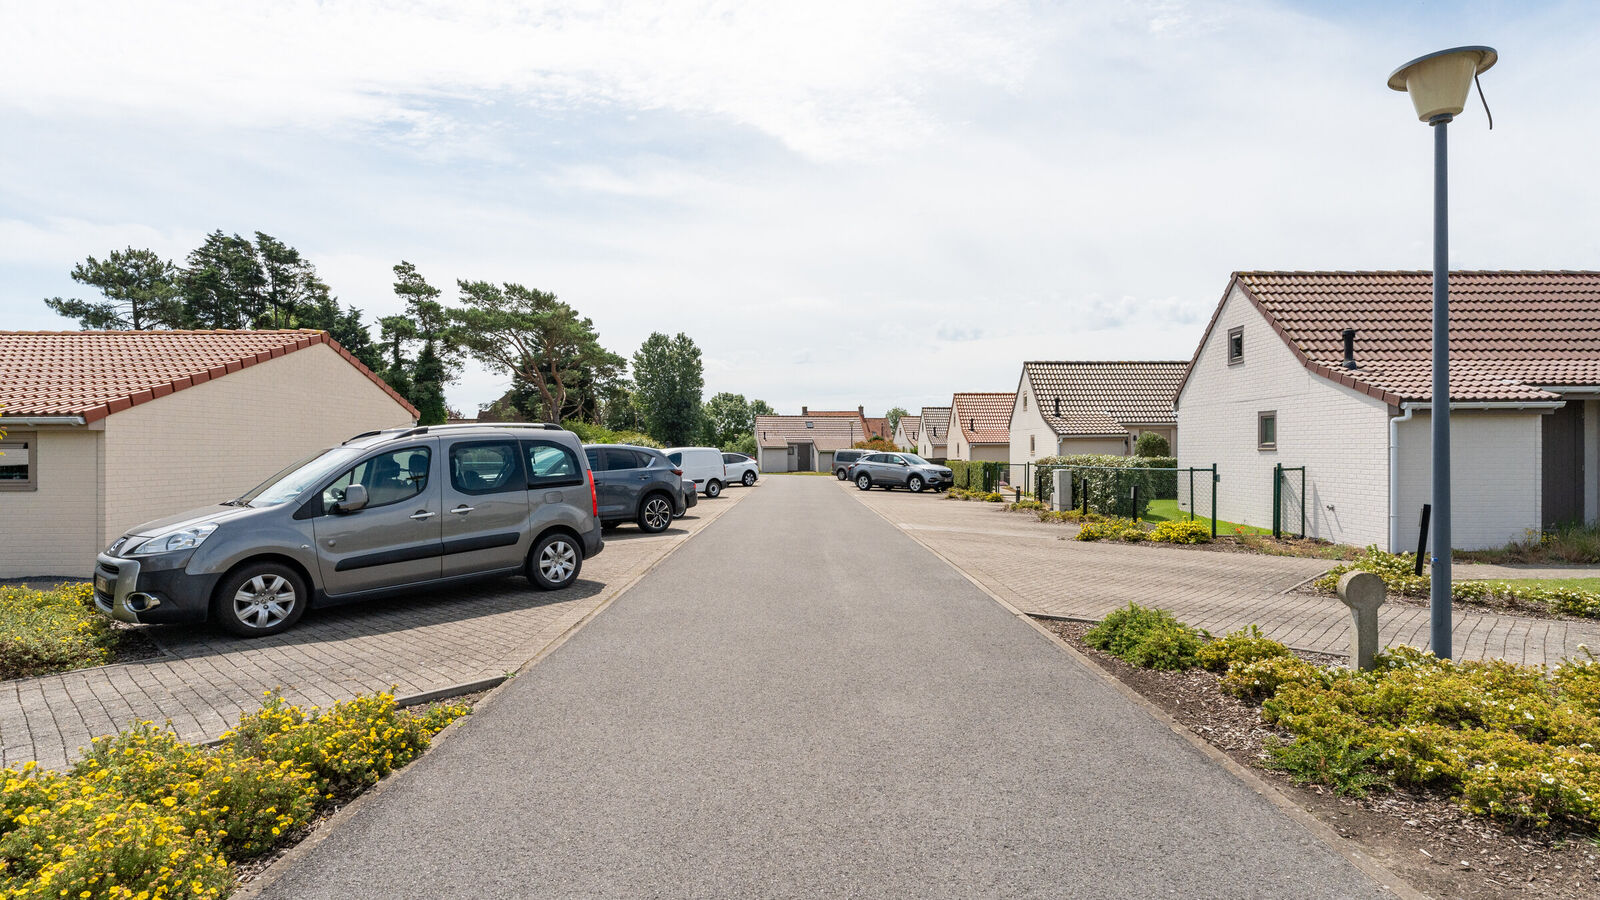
{"points": [[1030, 566]]}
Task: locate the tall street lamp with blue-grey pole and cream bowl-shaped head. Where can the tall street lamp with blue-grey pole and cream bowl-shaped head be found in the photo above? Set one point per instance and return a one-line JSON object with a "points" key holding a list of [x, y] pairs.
{"points": [[1439, 86]]}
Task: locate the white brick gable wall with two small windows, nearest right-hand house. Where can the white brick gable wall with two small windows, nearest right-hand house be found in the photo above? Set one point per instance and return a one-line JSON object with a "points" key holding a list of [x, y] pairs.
{"points": [[1340, 435]]}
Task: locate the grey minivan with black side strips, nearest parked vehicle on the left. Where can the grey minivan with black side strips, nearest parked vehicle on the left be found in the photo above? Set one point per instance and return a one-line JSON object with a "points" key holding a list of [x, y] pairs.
{"points": [[383, 513]]}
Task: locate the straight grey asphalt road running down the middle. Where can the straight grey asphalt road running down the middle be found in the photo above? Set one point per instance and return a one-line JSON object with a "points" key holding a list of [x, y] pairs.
{"points": [[802, 702]]}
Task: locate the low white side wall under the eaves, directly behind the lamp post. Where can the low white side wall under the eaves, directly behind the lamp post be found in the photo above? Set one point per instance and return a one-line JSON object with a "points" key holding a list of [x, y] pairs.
{"points": [[1495, 478]]}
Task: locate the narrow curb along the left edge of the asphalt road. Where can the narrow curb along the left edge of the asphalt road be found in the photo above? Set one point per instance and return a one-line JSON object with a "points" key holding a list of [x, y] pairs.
{"points": [[321, 834]]}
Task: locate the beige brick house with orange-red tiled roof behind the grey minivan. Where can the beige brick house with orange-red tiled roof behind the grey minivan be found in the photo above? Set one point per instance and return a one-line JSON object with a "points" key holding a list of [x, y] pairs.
{"points": [[108, 430]]}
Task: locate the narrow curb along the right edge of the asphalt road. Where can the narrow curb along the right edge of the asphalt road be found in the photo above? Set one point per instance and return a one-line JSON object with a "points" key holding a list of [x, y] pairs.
{"points": [[1382, 875]]}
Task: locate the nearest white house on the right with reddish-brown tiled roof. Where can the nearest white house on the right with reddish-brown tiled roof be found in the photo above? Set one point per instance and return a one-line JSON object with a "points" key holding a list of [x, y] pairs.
{"points": [[1332, 372]]}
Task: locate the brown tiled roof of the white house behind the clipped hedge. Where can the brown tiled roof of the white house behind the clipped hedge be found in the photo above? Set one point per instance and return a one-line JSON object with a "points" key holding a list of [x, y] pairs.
{"points": [[1103, 398]]}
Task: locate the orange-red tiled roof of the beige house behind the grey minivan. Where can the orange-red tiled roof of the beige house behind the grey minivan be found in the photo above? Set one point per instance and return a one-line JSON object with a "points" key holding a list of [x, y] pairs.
{"points": [[98, 374]]}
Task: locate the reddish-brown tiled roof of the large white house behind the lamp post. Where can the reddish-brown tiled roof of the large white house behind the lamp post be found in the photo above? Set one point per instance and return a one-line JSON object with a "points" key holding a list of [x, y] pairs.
{"points": [[1510, 332]]}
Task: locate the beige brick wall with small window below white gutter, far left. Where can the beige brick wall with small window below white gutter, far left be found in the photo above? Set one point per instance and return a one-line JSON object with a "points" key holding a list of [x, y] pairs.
{"points": [[57, 529]]}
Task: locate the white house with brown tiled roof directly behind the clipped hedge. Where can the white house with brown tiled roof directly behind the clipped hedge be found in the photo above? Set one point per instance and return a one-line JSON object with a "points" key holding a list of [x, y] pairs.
{"points": [[1092, 408]]}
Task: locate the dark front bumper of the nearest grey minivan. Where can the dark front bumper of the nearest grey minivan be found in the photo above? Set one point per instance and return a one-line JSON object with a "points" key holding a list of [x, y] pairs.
{"points": [[153, 590]]}
